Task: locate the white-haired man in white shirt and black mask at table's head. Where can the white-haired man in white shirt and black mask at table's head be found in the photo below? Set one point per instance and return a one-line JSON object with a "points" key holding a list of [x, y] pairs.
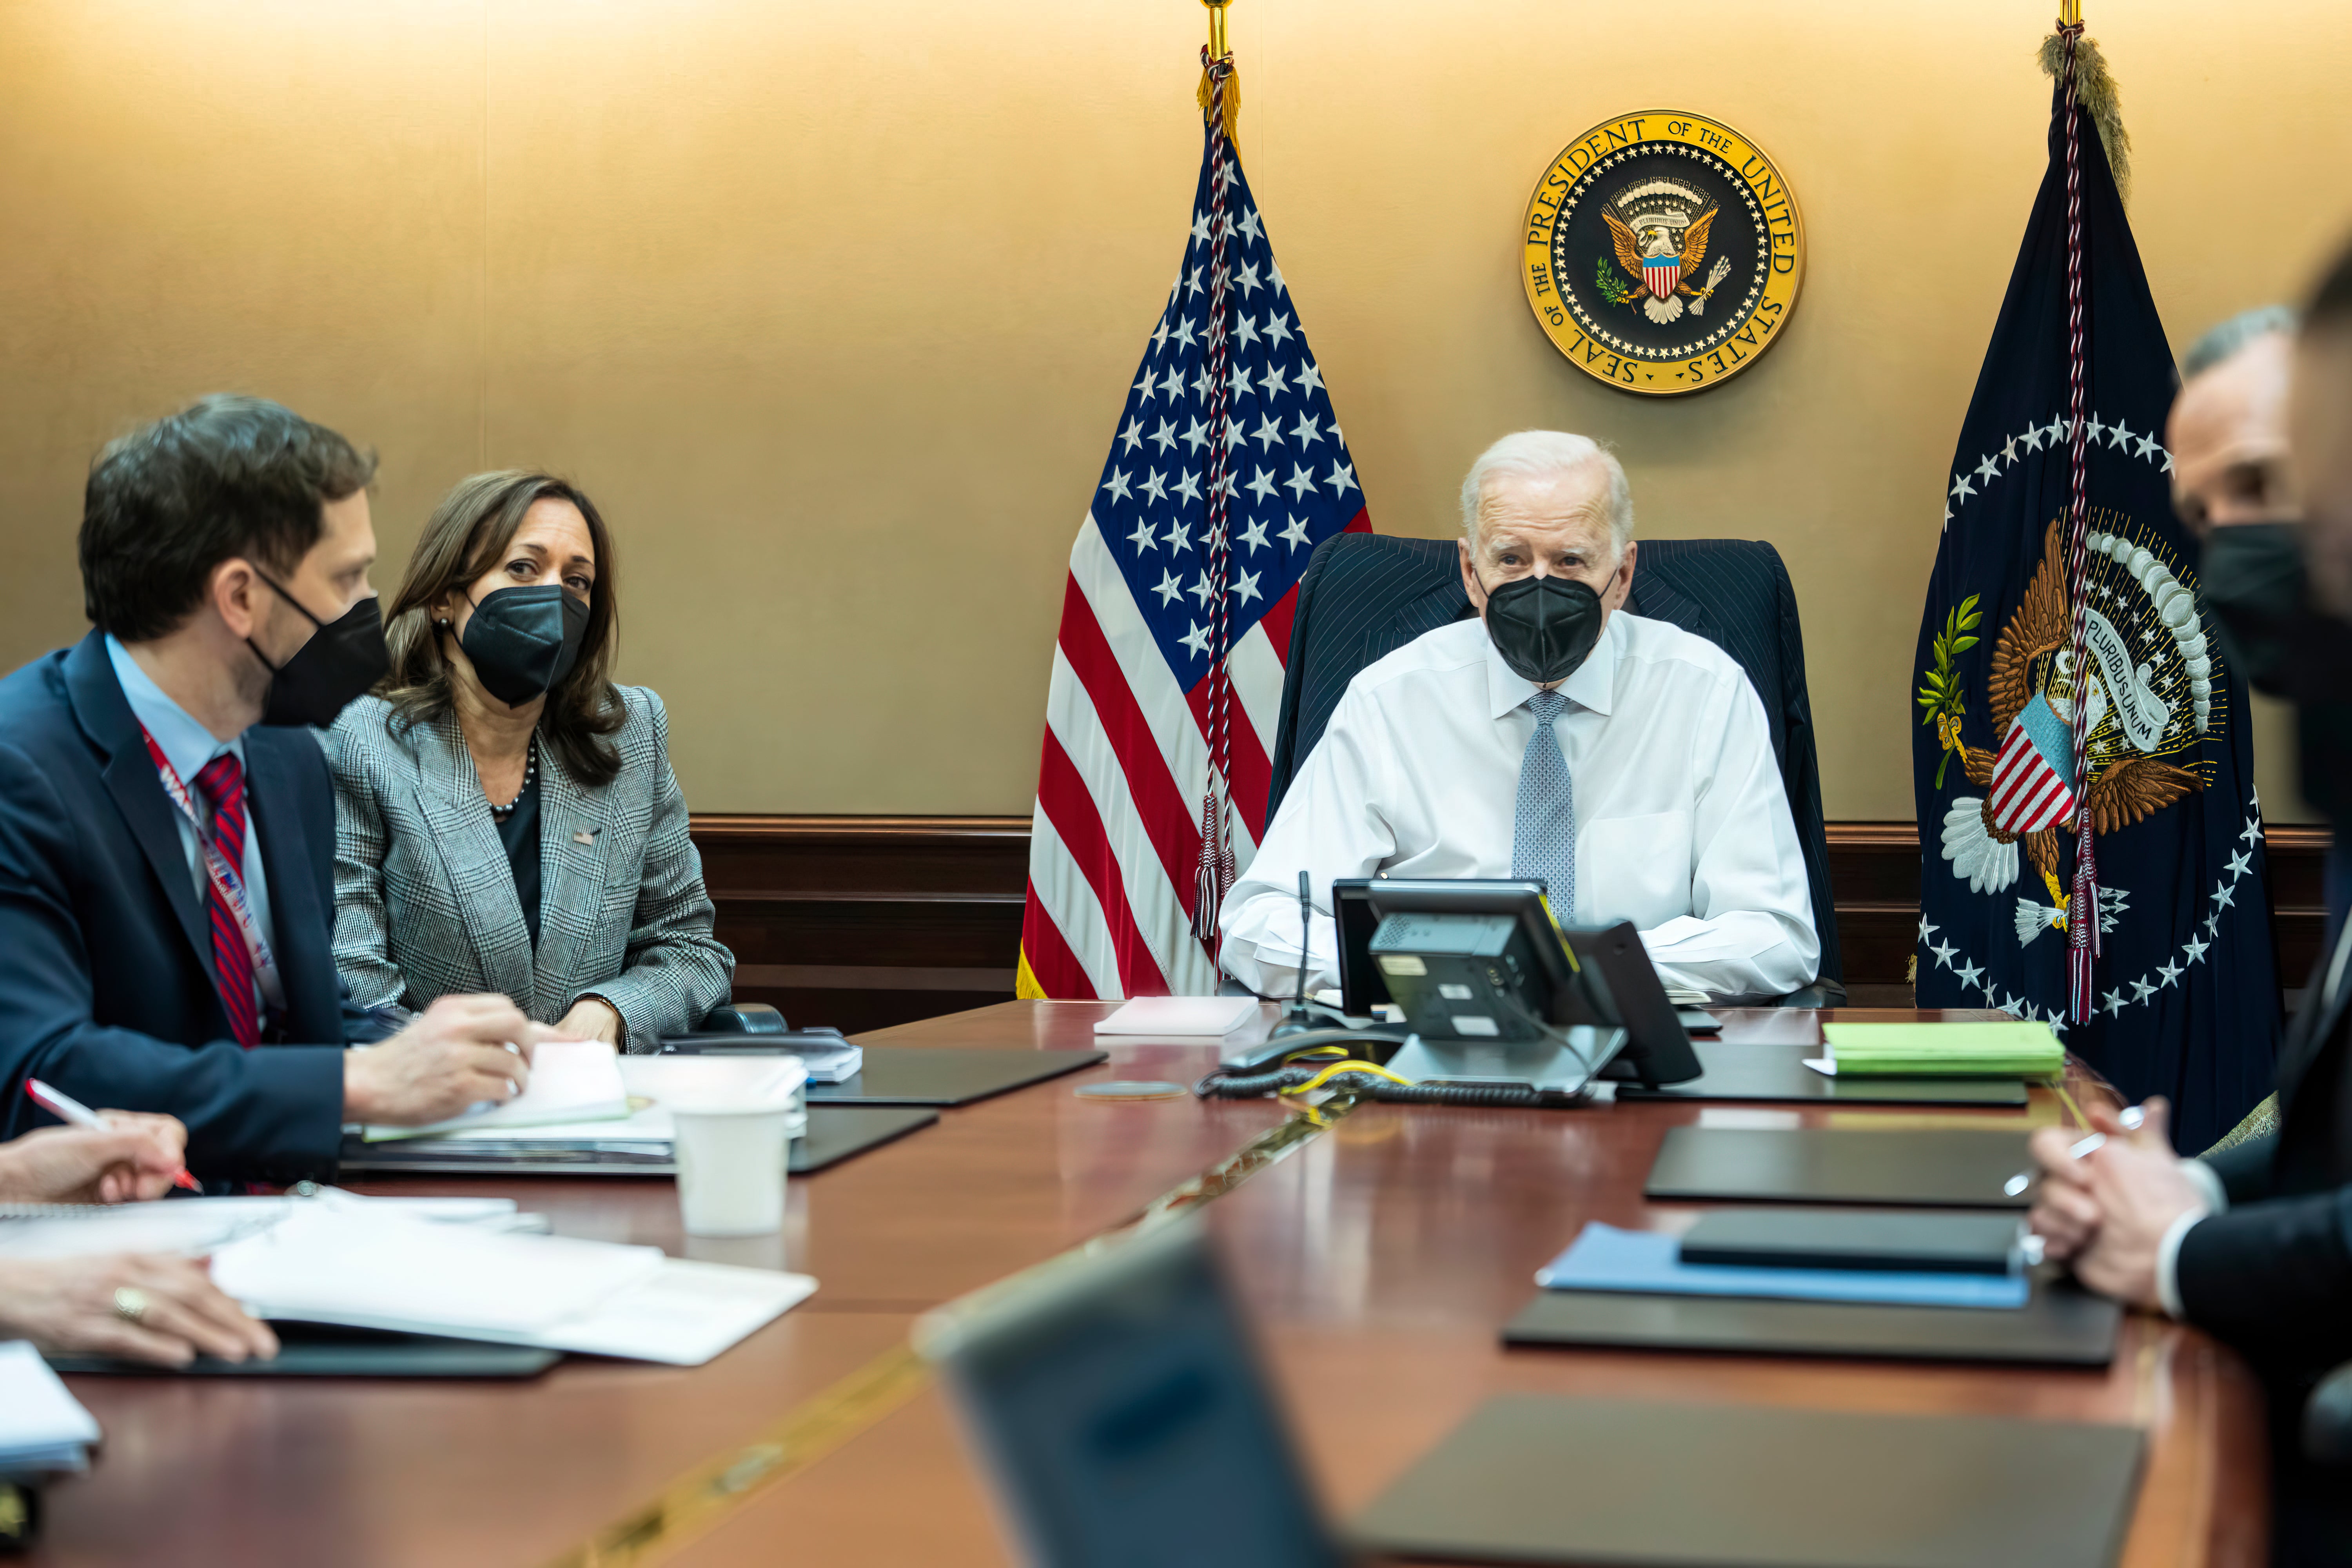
{"points": [[1558, 737]]}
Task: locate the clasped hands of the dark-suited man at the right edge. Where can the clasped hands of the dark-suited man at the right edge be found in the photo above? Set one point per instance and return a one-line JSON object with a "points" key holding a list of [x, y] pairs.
{"points": [[2109, 1212]]}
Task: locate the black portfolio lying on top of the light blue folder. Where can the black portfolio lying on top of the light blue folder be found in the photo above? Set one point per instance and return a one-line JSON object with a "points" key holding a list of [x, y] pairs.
{"points": [[1897, 1240]]}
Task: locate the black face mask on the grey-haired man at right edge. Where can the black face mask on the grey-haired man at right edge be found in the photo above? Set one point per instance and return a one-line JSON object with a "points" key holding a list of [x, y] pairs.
{"points": [[2266, 624]]}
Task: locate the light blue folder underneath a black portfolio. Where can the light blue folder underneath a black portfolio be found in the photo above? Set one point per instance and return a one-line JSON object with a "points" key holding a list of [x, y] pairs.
{"points": [[1650, 1264]]}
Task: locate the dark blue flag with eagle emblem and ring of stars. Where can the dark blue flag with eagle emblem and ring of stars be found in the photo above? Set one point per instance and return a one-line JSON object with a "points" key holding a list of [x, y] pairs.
{"points": [[2184, 981]]}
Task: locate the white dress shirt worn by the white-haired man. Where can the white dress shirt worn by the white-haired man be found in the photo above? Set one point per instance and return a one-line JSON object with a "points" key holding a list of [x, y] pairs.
{"points": [[1681, 817]]}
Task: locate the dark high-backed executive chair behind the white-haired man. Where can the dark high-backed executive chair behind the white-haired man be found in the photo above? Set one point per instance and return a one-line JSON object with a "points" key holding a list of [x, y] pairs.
{"points": [[1368, 596]]}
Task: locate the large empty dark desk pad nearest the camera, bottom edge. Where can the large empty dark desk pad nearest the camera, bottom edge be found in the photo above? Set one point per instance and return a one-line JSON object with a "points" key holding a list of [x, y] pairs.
{"points": [[1546, 1480]]}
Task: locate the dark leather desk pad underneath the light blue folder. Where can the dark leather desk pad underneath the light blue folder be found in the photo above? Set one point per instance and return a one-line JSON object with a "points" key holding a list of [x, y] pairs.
{"points": [[2059, 1327]]}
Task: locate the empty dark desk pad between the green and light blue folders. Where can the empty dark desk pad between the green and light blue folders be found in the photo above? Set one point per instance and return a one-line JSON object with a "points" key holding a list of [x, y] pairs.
{"points": [[1925, 1167]]}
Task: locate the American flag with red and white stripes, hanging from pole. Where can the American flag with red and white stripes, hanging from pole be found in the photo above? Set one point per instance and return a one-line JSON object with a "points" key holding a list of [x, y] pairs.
{"points": [[1132, 713]]}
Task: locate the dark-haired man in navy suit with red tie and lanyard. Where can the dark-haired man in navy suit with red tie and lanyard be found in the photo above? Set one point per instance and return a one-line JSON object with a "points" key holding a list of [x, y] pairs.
{"points": [[168, 829]]}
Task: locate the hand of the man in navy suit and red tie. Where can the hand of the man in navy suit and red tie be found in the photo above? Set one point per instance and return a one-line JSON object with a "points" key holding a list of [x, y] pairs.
{"points": [[455, 1054]]}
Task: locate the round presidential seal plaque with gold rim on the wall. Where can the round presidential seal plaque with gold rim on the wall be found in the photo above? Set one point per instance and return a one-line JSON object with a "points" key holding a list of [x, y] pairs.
{"points": [[1664, 253]]}
